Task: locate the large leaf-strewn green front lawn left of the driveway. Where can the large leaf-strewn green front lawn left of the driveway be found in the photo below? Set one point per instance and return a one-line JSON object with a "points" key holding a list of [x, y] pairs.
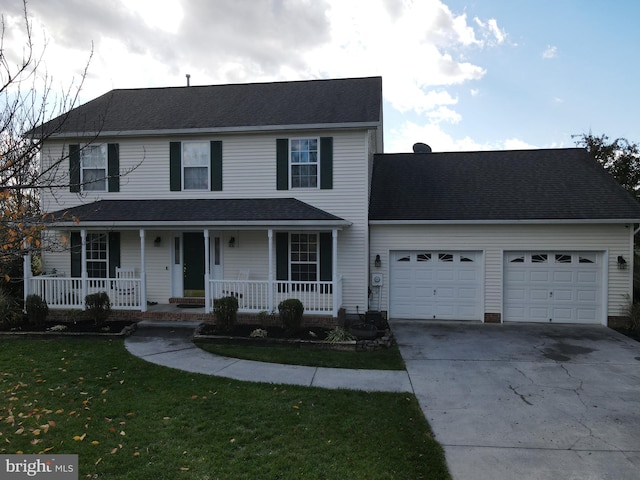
{"points": [[129, 419]]}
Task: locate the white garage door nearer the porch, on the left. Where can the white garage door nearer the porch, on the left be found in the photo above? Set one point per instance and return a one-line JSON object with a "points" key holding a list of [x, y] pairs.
{"points": [[436, 285]]}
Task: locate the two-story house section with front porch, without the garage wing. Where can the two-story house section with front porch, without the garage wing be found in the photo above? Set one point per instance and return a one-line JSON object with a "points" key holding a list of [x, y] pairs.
{"points": [[173, 194]]}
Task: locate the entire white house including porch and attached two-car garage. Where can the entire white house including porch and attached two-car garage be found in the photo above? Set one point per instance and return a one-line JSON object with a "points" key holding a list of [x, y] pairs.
{"points": [[271, 191]]}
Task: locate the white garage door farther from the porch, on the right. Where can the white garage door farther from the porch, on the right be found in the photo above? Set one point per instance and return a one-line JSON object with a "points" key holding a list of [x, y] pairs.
{"points": [[562, 287]]}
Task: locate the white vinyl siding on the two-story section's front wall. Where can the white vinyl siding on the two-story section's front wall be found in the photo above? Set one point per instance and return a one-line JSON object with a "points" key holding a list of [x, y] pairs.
{"points": [[249, 171]]}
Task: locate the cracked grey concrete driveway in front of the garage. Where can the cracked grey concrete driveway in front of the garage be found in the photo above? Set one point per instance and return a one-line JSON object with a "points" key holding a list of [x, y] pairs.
{"points": [[528, 401]]}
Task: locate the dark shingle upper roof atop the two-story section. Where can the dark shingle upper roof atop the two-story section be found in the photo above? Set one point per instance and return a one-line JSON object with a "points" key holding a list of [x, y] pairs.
{"points": [[312, 102]]}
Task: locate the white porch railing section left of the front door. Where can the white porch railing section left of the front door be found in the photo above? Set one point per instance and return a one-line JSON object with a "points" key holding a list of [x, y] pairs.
{"points": [[69, 293]]}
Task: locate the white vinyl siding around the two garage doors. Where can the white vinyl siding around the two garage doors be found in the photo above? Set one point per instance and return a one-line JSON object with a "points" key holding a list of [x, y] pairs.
{"points": [[494, 240]]}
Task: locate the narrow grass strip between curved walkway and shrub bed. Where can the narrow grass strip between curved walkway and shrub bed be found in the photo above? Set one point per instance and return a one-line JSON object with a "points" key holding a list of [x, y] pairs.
{"points": [[382, 359]]}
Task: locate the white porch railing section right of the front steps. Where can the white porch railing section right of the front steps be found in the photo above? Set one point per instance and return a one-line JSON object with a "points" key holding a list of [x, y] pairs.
{"points": [[253, 295]]}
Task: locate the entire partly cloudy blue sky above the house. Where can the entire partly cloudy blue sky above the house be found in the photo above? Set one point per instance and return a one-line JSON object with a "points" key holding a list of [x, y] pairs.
{"points": [[459, 75]]}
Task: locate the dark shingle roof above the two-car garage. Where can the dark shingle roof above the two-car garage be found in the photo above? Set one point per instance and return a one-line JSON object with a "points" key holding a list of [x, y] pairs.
{"points": [[553, 184]]}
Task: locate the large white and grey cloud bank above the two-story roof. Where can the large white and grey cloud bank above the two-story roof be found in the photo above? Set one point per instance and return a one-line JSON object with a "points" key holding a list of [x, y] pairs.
{"points": [[419, 47]]}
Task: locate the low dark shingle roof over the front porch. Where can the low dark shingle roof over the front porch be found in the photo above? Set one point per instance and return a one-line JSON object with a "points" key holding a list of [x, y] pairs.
{"points": [[178, 213]]}
